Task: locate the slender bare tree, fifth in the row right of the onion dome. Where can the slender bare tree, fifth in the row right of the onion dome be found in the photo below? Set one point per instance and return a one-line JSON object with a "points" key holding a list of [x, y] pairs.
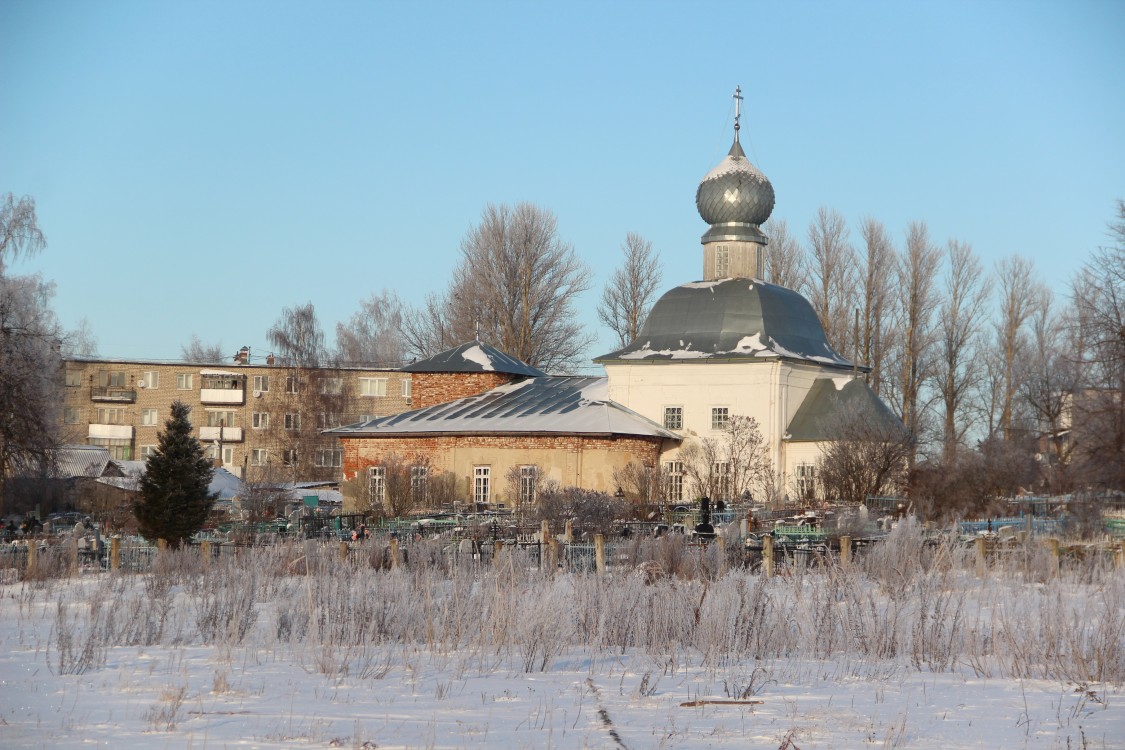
{"points": [[958, 365]]}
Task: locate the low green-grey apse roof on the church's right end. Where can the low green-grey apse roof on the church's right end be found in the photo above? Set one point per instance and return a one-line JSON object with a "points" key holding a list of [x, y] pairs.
{"points": [[830, 397]]}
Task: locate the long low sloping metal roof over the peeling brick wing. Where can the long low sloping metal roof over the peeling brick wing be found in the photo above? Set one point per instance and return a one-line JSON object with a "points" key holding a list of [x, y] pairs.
{"points": [[545, 405]]}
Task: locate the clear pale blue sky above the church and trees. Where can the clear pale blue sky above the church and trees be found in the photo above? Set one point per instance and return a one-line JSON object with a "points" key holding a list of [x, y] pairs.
{"points": [[200, 166]]}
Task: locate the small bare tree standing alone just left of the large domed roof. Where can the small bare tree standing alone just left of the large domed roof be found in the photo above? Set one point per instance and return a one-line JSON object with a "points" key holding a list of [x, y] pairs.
{"points": [[628, 297]]}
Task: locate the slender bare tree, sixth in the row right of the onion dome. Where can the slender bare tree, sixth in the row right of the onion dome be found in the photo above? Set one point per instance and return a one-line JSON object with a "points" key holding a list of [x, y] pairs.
{"points": [[1020, 296]]}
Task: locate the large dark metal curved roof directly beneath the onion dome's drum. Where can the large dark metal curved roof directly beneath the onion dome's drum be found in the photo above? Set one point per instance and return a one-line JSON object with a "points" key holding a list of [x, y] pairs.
{"points": [[731, 320]]}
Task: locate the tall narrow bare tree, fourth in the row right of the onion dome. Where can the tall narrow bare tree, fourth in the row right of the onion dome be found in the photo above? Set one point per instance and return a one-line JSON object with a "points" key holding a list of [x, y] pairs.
{"points": [[916, 275]]}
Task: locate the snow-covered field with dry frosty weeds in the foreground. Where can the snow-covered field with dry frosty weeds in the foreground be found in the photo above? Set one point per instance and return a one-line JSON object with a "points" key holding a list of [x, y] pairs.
{"points": [[290, 647]]}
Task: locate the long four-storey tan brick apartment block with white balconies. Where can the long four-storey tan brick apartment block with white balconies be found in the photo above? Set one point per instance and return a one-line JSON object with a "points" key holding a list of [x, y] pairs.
{"points": [[248, 415]]}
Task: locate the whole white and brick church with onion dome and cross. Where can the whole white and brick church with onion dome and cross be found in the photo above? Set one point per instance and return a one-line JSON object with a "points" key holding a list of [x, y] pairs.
{"points": [[727, 346]]}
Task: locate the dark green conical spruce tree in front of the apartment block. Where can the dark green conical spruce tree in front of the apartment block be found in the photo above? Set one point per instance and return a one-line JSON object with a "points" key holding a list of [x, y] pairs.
{"points": [[175, 498]]}
